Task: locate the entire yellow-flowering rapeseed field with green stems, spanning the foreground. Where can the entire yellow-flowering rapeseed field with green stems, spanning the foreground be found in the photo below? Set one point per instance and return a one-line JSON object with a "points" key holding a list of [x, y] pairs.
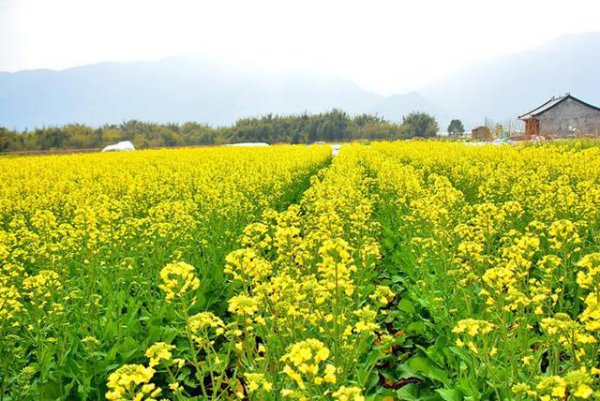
{"points": [[394, 271]]}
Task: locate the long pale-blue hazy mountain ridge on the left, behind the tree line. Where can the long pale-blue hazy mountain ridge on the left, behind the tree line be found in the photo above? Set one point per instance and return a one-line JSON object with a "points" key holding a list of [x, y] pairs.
{"points": [[176, 90]]}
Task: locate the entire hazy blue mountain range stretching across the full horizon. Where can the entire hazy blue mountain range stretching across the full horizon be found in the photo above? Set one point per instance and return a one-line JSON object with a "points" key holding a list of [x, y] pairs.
{"points": [[182, 89]]}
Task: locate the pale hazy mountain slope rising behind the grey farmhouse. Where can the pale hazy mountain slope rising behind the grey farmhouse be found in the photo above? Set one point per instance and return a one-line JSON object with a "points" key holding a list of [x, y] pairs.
{"points": [[506, 87]]}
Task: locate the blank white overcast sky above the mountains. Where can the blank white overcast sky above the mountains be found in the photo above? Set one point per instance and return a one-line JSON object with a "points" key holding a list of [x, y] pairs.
{"points": [[386, 46]]}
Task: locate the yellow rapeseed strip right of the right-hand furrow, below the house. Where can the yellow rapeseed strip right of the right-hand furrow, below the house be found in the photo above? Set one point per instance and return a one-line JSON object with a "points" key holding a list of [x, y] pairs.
{"points": [[494, 252]]}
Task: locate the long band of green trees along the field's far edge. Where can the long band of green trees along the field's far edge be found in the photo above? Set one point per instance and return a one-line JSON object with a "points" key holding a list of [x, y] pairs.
{"points": [[331, 126]]}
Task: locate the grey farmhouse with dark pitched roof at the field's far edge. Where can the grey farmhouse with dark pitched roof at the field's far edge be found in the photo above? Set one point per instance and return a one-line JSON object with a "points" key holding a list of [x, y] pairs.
{"points": [[562, 117]]}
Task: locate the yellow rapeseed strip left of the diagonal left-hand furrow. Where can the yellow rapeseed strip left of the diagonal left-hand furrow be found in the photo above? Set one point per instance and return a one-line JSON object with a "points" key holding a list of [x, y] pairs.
{"points": [[83, 238]]}
